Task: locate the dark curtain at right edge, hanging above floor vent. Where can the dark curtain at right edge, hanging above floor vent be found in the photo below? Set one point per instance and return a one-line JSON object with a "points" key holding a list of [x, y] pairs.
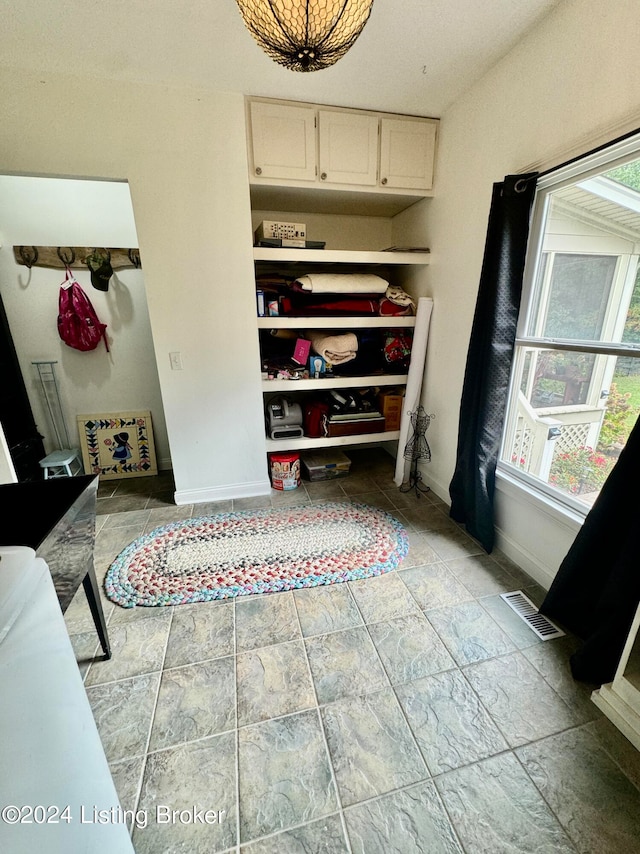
{"points": [[596, 591]]}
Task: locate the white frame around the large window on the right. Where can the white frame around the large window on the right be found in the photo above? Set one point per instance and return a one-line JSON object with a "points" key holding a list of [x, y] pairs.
{"points": [[587, 167]]}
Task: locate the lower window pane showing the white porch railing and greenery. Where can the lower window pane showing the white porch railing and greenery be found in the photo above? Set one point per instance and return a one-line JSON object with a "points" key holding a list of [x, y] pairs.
{"points": [[571, 446]]}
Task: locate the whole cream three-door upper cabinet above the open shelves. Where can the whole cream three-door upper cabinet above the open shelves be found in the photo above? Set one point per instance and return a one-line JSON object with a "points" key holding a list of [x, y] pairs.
{"points": [[294, 145]]}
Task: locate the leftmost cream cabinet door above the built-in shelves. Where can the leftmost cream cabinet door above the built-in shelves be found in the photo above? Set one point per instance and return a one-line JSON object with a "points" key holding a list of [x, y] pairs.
{"points": [[283, 141]]}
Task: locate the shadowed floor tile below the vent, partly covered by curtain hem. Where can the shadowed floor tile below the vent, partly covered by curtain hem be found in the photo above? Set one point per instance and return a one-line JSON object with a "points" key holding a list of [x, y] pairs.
{"points": [[551, 660]]}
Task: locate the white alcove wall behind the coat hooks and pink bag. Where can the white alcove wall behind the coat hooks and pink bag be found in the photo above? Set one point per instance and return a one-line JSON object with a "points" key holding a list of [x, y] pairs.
{"points": [[55, 212]]}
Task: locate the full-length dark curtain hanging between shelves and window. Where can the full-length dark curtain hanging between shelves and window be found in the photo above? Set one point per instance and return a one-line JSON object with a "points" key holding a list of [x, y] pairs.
{"points": [[486, 381]]}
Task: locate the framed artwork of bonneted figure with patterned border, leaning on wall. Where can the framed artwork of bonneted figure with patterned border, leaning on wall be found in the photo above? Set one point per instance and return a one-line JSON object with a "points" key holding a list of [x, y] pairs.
{"points": [[117, 446]]}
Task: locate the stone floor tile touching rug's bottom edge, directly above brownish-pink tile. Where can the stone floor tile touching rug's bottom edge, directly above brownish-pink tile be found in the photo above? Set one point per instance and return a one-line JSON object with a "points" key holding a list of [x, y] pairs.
{"points": [[263, 620]]}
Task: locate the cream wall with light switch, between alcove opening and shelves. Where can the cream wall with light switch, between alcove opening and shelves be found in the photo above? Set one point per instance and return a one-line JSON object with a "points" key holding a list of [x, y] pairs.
{"points": [[184, 155]]}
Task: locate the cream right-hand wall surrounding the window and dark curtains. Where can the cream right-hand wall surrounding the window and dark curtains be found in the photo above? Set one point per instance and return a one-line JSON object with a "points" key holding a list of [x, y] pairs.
{"points": [[573, 83]]}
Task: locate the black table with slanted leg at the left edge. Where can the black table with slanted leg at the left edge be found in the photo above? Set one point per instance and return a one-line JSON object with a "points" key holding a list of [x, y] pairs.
{"points": [[57, 518]]}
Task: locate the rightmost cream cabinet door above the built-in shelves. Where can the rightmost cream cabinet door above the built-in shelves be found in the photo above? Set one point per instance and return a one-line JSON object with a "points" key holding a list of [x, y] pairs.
{"points": [[407, 150]]}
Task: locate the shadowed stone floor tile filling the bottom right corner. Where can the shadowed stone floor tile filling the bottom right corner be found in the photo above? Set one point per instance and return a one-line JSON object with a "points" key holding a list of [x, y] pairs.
{"points": [[594, 801]]}
